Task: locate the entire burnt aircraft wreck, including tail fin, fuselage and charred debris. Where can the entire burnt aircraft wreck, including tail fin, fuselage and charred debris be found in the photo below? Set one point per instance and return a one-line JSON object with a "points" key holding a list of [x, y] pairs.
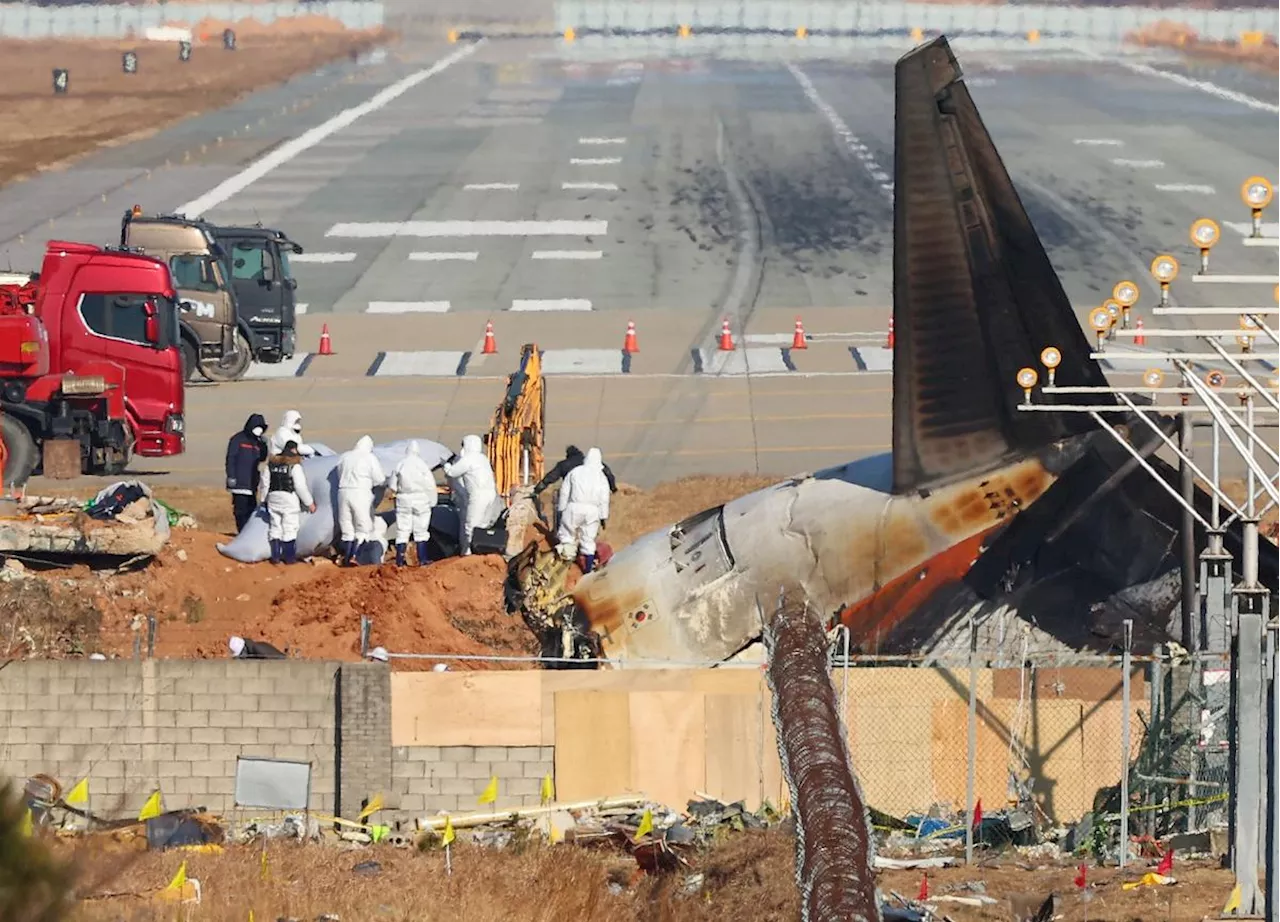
{"points": [[982, 512]]}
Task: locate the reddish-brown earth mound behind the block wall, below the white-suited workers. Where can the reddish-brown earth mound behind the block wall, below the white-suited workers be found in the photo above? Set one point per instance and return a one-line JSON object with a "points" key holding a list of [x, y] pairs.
{"points": [[310, 610]]}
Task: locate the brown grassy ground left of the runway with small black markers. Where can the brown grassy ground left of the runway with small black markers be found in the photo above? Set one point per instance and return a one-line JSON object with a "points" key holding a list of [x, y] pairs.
{"points": [[104, 104]]}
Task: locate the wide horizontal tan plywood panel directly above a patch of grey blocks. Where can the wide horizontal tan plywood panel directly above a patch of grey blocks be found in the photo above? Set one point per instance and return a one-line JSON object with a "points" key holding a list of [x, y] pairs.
{"points": [[467, 709]]}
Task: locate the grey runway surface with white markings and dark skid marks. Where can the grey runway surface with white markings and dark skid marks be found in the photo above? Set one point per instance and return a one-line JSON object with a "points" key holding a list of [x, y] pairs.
{"points": [[560, 191]]}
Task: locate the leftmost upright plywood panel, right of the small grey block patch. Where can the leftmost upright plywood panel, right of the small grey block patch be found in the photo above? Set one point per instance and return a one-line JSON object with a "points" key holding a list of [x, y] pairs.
{"points": [[593, 746]]}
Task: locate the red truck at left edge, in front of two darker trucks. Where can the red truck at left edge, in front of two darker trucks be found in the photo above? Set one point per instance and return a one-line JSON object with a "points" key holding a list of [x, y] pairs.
{"points": [[90, 352]]}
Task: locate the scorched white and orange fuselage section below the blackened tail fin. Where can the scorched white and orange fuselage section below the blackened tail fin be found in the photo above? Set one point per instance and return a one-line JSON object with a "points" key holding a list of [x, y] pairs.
{"points": [[865, 555]]}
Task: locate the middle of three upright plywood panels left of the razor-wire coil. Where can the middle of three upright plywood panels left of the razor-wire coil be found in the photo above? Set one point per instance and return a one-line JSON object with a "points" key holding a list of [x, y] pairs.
{"points": [[669, 745]]}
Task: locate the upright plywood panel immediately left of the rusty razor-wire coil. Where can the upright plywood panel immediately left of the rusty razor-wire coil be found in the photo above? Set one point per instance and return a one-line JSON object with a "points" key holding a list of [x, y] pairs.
{"points": [[742, 751]]}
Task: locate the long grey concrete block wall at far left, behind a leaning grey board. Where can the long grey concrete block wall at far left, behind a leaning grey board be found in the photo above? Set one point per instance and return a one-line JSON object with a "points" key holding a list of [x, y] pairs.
{"points": [[175, 725]]}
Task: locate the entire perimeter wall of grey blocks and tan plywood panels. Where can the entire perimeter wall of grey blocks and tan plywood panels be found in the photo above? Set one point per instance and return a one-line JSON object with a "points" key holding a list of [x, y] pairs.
{"points": [[431, 742]]}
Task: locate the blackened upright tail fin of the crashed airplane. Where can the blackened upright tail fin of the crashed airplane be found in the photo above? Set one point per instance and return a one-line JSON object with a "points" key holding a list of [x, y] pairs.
{"points": [[975, 294]]}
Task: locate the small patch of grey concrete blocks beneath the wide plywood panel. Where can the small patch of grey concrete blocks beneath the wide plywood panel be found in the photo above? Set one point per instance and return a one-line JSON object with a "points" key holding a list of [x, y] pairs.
{"points": [[450, 779]]}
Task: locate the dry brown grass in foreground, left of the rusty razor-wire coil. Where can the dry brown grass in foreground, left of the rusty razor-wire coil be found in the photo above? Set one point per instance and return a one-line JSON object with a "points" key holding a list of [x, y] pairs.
{"points": [[749, 878]]}
